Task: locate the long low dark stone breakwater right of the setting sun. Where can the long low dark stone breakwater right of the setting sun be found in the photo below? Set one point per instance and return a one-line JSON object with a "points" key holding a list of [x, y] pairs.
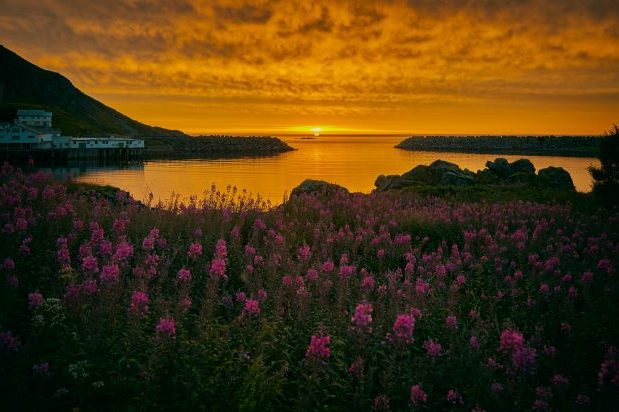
{"points": [[580, 146]]}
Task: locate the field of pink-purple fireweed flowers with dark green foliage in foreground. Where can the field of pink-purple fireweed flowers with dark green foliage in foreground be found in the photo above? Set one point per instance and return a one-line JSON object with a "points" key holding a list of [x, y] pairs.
{"points": [[389, 301]]}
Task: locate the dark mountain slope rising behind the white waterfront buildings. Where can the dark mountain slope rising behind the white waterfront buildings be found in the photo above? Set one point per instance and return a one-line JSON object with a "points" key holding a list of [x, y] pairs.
{"points": [[24, 85]]}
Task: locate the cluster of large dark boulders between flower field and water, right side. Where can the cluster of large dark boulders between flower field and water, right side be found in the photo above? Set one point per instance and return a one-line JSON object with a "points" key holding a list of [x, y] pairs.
{"points": [[497, 173]]}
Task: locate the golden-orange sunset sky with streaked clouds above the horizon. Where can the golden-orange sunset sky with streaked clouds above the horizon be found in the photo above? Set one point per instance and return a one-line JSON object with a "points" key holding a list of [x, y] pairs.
{"points": [[276, 67]]}
